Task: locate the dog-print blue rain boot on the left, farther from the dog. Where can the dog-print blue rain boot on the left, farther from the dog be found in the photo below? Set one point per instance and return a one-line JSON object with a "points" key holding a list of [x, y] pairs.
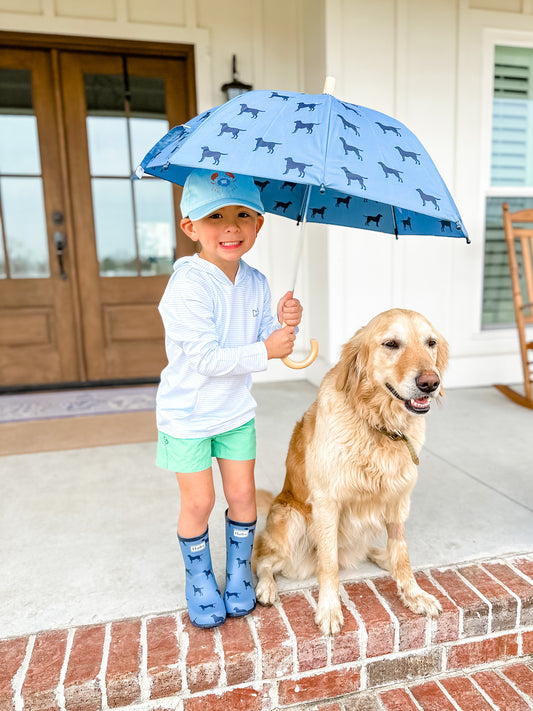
{"points": [[204, 601]]}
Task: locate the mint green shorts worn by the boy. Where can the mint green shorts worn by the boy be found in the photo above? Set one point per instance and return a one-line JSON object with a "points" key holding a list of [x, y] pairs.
{"points": [[194, 455]]}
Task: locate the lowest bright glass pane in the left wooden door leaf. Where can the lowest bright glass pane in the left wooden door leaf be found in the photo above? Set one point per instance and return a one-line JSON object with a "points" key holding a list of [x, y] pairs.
{"points": [[25, 229]]}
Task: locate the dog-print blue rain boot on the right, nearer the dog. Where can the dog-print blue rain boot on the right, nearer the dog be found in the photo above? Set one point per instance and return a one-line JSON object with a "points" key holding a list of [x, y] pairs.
{"points": [[239, 595]]}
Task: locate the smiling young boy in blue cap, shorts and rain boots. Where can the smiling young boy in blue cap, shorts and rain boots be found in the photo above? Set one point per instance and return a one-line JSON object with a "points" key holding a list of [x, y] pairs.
{"points": [[218, 330]]}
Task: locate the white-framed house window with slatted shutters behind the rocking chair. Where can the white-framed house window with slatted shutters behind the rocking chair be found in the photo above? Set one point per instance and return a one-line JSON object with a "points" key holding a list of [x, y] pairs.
{"points": [[511, 177]]}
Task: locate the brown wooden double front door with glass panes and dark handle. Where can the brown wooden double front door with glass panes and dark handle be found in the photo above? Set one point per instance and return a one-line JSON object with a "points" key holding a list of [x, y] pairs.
{"points": [[85, 251]]}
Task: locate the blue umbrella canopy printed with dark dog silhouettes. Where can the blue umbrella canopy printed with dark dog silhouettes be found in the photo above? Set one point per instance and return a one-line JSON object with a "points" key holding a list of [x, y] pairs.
{"points": [[317, 157]]}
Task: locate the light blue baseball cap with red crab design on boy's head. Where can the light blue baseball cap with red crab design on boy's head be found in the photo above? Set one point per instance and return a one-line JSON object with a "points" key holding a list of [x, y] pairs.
{"points": [[206, 191]]}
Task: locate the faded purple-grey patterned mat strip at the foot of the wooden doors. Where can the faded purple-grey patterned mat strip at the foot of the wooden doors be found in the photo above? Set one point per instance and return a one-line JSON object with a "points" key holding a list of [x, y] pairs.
{"points": [[76, 403]]}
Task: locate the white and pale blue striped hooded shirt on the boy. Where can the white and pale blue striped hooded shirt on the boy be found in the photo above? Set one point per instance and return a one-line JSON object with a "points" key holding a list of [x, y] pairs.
{"points": [[214, 333]]}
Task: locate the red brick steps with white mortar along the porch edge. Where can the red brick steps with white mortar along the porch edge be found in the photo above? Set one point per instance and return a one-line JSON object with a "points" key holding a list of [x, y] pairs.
{"points": [[385, 657]]}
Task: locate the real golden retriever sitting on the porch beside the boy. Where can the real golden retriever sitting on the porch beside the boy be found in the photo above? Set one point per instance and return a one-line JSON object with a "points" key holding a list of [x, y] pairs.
{"points": [[352, 464]]}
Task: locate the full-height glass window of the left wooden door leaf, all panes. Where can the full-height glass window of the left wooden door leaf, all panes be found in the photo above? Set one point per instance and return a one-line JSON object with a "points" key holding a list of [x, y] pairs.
{"points": [[24, 248]]}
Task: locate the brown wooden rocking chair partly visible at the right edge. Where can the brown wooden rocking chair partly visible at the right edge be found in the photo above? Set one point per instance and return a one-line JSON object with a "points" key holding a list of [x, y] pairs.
{"points": [[522, 283]]}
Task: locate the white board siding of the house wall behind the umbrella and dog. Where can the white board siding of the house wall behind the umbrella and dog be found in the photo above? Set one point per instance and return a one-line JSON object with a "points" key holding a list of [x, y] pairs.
{"points": [[429, 64]]}
